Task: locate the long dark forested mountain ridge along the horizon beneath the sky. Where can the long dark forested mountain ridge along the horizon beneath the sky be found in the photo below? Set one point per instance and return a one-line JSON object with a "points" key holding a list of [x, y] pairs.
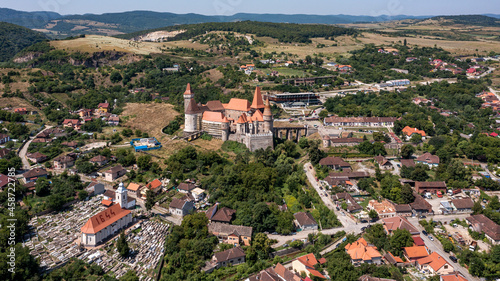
{"points": [[127, 22]]}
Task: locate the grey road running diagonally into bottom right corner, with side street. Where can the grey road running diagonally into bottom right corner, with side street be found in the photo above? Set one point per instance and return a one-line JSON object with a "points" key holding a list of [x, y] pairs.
{"points": [[435, 246]]}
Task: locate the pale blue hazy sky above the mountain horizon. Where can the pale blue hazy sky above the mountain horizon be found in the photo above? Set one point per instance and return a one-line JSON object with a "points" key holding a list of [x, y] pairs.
{"points": [[229, 7]]}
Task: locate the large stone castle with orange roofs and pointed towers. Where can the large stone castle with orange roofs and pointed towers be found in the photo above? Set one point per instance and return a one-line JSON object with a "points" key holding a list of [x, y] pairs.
{"points": [[238, 120]]}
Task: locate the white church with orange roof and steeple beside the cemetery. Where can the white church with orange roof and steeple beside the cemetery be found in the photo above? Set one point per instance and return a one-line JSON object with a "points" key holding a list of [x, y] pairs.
{"points": [[109, 222]]}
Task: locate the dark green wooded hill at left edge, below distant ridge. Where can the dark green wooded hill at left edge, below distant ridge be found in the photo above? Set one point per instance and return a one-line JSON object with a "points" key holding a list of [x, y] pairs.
{"points": [[14, 38]]}
